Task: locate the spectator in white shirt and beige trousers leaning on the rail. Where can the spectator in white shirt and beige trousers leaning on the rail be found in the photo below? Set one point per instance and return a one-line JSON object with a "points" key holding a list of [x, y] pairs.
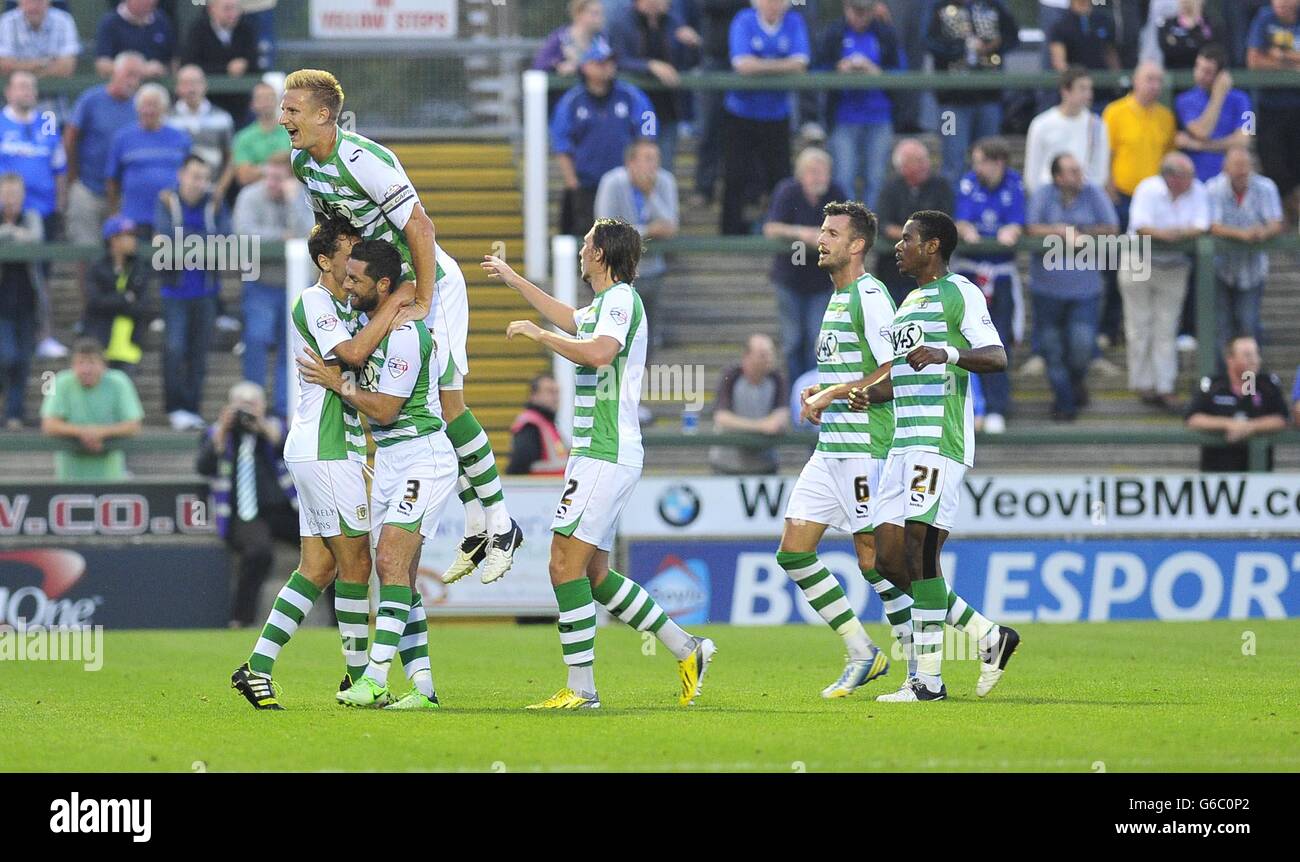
{"points": [[1169, 207]]}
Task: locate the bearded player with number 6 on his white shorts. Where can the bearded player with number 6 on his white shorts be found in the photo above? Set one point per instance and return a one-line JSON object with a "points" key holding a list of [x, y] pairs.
{"points": [[837, 486]]}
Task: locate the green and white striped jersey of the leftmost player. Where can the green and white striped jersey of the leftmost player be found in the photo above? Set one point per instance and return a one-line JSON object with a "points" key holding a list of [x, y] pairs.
{"points": [[324, 428]]}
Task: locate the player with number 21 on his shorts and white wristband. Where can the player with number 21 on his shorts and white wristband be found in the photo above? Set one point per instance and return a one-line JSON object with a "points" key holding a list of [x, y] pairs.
{"points": [[942, 333]]}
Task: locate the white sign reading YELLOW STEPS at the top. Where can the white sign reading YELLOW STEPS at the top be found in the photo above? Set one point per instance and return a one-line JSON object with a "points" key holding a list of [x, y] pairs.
{"points": [[383, 19]]}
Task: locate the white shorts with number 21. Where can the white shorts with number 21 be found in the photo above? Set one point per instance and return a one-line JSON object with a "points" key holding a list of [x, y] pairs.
{"points": [[921, 487]]}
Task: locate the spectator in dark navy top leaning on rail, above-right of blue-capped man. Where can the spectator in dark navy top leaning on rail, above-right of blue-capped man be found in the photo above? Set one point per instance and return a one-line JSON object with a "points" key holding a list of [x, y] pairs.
{"points": [[647, 42]]}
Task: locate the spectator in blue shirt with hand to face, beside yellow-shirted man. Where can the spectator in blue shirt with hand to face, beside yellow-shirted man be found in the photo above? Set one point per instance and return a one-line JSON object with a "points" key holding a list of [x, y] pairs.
{"points": [[1212, 114]]}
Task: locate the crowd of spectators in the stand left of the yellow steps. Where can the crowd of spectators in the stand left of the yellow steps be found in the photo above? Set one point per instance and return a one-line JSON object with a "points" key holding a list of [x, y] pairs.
{"points": [[127, 159]]}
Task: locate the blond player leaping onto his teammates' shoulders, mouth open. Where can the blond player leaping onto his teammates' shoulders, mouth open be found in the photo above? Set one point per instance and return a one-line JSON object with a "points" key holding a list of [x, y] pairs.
{"points": [[352, 176]]}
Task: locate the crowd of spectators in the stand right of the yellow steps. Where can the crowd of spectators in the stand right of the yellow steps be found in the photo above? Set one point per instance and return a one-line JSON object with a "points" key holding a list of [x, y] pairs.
{"points": [[1093, 155]]}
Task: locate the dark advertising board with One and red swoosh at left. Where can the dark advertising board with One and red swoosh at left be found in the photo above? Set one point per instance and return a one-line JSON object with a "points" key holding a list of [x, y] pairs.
{"points": [[187, 584]]}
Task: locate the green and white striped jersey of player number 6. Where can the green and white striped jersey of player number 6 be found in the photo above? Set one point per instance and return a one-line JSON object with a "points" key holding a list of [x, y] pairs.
{"points": [[855, 341]]}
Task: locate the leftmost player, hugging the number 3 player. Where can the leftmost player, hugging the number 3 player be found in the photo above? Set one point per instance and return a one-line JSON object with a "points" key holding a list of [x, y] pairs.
{"points": [[326, 453]]}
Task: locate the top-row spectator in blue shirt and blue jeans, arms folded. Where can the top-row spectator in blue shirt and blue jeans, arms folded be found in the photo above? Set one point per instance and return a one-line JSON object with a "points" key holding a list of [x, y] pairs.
{"points": [[864, 42]]}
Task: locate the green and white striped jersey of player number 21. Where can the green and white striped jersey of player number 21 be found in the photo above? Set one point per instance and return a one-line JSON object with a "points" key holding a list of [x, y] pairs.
{"points": [[934, 410]]}
